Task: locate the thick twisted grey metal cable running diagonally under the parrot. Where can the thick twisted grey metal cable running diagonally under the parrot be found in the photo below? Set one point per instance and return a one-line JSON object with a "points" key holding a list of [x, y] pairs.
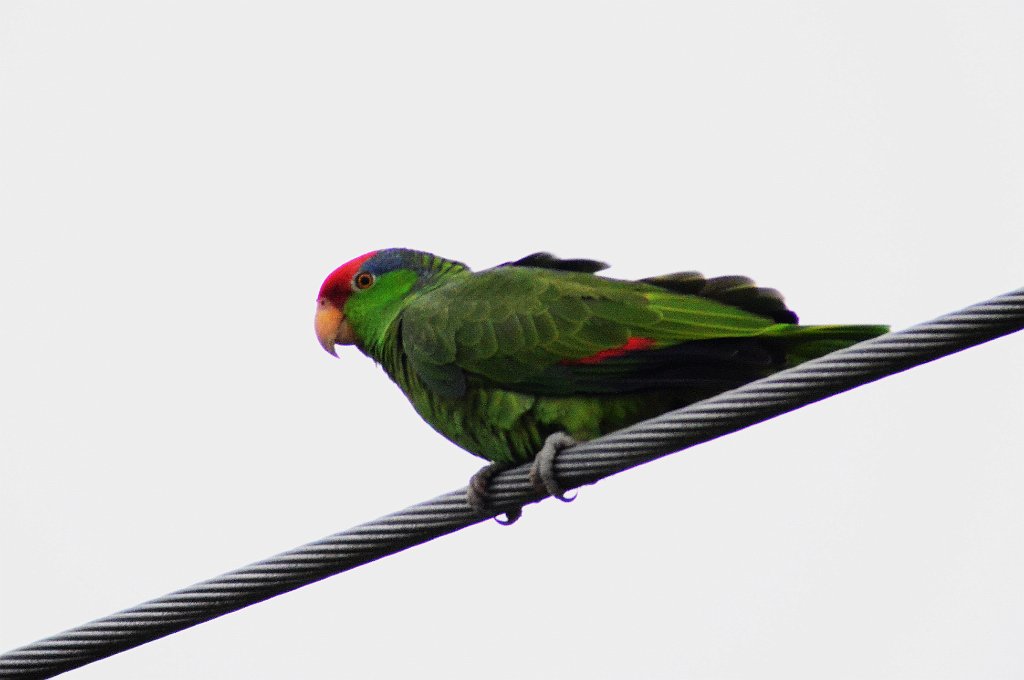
{"points": [[579, 465]]}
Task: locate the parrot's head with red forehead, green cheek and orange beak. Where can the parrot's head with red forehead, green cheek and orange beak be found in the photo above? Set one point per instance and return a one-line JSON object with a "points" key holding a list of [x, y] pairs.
{"points": [[359, 302]]}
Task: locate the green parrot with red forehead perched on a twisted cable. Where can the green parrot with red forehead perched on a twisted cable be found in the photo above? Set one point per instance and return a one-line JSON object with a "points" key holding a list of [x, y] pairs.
{"points": [[518, 362]]}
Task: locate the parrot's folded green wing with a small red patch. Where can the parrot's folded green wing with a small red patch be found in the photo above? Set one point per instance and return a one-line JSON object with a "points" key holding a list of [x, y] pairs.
{"points": [[553, 332]]}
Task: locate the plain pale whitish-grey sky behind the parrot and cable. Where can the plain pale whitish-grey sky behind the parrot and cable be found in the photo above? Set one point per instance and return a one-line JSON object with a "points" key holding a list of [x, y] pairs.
{"points": [[177, 179]]}
